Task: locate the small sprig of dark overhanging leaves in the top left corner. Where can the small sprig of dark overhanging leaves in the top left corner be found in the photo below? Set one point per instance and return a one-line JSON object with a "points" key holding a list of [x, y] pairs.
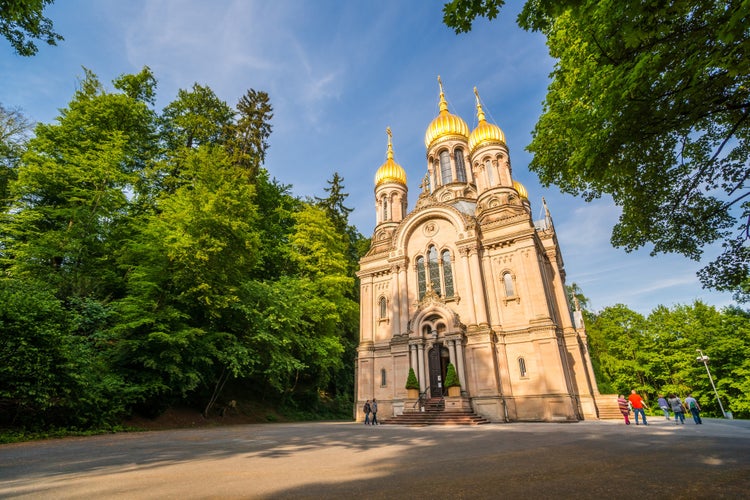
{"points": [[22, 21]]}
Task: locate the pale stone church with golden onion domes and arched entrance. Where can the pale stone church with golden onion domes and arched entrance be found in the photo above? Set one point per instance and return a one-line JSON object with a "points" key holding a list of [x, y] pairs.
{"points": [[468, 278]]}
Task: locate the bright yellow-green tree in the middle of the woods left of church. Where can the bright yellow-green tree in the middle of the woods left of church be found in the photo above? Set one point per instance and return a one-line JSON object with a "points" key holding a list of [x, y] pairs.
{"points": [[186, 271]]}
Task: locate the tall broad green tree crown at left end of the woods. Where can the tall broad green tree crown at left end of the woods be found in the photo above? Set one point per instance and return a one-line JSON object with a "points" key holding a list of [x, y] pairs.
{"points": [[70, 202]]}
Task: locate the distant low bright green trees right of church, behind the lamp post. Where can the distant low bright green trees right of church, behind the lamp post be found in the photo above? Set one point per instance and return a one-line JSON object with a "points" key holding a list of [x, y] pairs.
{"points": [[657, 355]]}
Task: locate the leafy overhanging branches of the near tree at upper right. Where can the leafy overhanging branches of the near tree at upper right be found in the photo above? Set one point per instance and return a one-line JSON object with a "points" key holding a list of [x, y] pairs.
{"points": [[648, 103]]}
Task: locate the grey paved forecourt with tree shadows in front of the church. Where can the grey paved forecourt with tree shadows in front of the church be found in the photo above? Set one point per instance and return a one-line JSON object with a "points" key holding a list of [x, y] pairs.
{"points": [[348, 460]]}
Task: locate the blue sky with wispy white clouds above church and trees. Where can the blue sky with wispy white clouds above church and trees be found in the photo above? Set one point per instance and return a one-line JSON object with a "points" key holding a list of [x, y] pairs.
{"points": [[338, 73]]}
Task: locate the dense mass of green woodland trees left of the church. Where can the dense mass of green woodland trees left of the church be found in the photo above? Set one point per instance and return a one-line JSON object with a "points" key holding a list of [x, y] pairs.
{"points": [[150, 261]]}
